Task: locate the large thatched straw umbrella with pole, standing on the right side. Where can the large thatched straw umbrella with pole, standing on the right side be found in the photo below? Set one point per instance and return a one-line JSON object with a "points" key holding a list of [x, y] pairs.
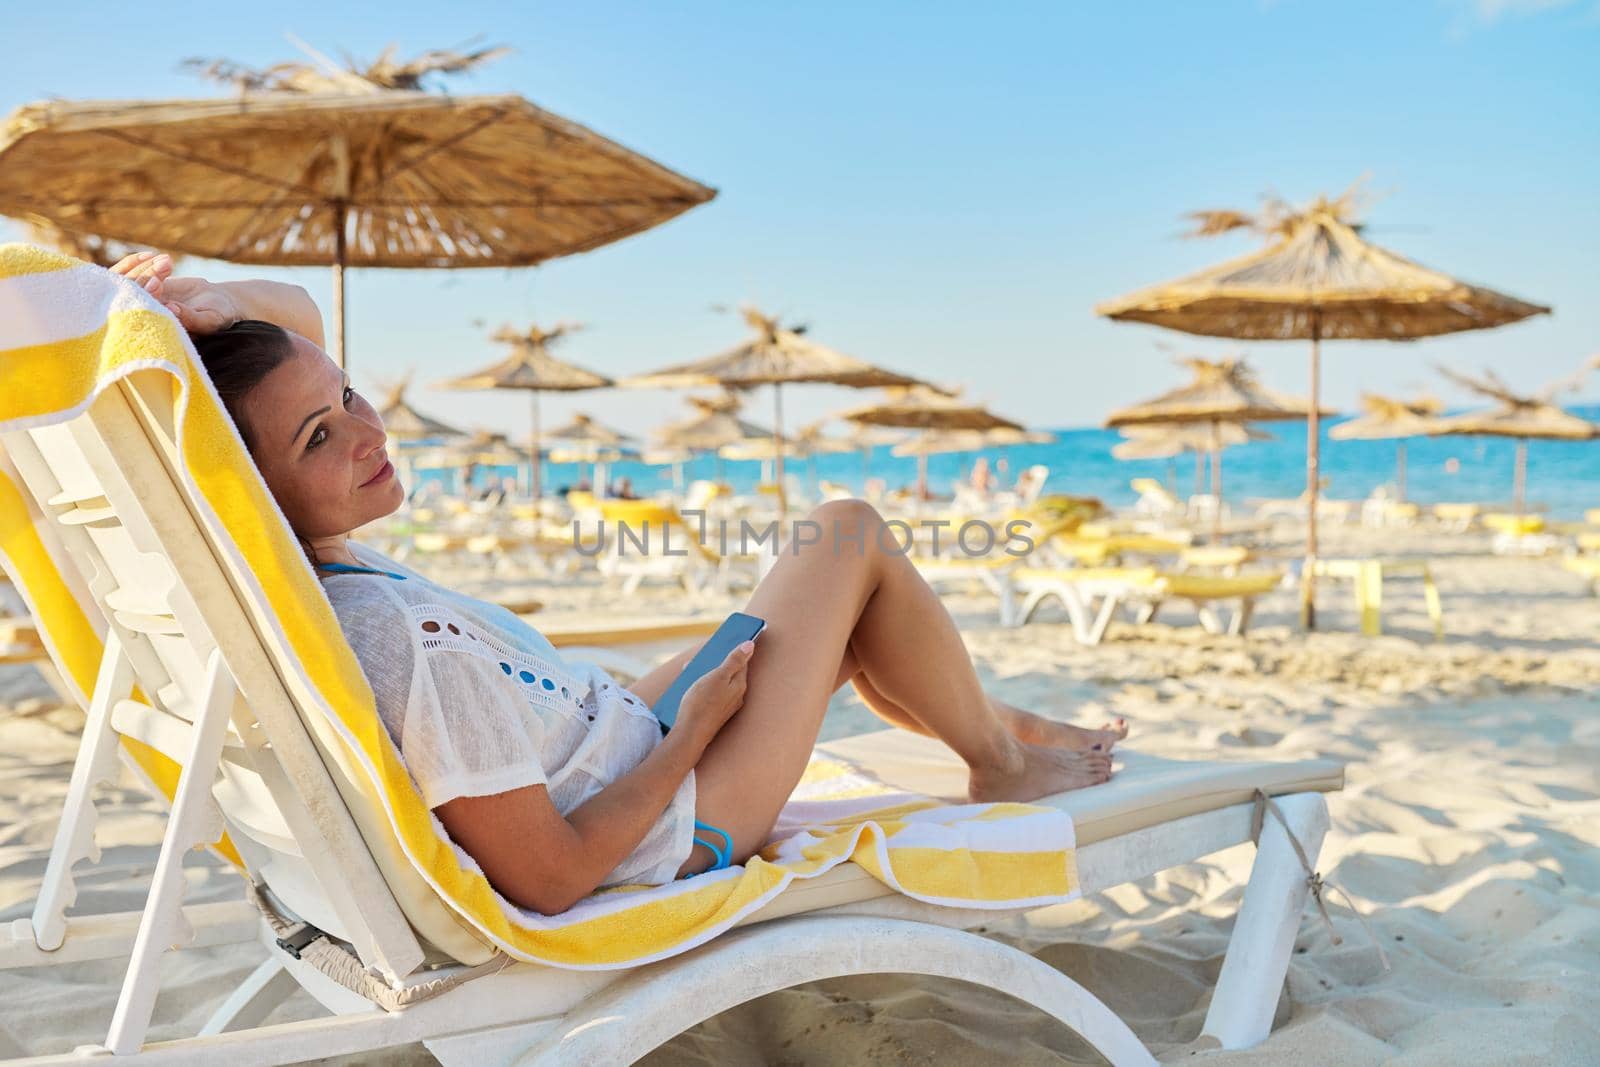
{"points": [[1318, 281]]}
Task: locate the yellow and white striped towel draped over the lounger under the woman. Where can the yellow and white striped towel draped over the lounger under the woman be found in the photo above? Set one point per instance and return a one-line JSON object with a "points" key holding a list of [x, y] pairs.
{"points": [[70, 330]]}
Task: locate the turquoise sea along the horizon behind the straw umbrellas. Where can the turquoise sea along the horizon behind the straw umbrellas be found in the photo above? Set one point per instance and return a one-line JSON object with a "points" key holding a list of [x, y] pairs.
{"points": [[1564, 478]]}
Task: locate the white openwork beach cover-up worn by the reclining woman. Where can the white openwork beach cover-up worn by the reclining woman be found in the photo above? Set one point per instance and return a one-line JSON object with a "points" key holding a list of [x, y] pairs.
{"points": [[481, 703]]}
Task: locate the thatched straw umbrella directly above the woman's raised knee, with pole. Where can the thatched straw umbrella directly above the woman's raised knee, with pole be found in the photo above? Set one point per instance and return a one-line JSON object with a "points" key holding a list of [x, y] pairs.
{"points": [[774, 356]]}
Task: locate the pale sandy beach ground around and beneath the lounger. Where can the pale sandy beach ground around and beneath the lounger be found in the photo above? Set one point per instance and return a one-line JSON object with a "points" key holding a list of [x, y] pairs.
{"points": [[1466, 837]]}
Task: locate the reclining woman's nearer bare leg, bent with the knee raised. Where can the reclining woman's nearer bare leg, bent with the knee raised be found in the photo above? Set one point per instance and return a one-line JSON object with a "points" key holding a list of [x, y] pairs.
{"points": [[849, 593]]}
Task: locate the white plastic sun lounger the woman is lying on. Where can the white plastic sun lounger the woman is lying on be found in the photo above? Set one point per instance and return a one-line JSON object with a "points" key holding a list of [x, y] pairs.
{"points": [[186, 631]]}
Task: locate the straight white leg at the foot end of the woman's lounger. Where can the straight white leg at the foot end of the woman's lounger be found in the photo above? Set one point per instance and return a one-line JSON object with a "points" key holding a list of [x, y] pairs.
{"points": [[1258, 954]]}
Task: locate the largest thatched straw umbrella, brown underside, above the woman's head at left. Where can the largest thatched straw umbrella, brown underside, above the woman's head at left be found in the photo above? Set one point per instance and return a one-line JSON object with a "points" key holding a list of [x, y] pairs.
{"points": [[318, 166]]}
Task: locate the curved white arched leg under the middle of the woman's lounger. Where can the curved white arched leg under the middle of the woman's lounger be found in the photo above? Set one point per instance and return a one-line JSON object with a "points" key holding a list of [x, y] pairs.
{"points": [[655, 1004]]}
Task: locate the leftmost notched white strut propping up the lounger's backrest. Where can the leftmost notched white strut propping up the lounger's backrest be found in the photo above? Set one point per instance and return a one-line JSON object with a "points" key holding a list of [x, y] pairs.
{"points": [[97, 764]]}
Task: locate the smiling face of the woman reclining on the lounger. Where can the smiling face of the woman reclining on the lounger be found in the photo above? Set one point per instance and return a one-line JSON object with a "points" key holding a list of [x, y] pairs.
{"points": [[321, 447]]}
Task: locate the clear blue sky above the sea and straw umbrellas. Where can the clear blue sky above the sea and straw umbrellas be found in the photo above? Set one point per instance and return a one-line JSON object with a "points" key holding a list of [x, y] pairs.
{"points": [[948, 190]]}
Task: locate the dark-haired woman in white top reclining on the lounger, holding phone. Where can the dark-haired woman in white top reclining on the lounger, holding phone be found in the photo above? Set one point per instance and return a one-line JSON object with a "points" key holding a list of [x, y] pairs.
{"points": [[550, 775]]}
